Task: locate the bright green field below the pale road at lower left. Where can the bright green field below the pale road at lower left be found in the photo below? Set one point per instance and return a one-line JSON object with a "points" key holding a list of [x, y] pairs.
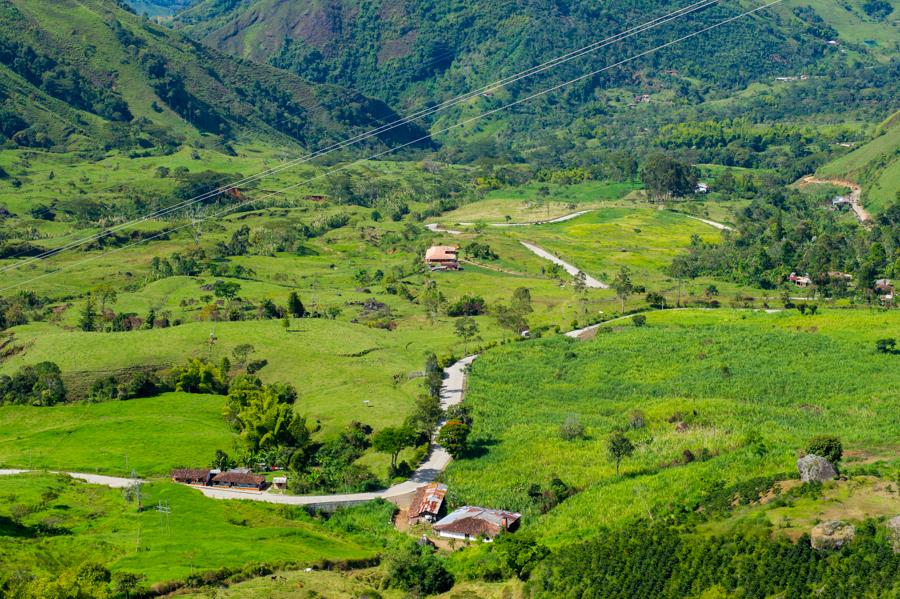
{"points": [[51, 523]]}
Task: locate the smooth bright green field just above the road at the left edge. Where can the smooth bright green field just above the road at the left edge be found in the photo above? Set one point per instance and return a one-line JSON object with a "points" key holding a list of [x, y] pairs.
{"points": [[149, 436]]}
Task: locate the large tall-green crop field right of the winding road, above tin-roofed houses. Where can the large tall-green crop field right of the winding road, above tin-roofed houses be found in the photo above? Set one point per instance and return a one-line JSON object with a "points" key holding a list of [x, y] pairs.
{"points": [[703, 381]]}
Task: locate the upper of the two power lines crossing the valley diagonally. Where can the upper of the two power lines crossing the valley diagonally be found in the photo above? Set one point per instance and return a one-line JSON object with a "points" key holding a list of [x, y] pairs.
{"points": [[422, 113]]}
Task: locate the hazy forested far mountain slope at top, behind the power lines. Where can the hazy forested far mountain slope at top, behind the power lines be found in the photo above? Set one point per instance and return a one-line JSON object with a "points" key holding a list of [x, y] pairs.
{"points": [[407, 51]]}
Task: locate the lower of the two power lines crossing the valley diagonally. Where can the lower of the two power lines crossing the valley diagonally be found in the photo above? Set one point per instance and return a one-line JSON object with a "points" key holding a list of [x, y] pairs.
{"points": [[415, 141]]}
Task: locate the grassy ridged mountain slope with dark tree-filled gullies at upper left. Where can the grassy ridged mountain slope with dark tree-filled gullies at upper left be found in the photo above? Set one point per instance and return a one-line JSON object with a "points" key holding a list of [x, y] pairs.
{"points": [[82, 71]]}
